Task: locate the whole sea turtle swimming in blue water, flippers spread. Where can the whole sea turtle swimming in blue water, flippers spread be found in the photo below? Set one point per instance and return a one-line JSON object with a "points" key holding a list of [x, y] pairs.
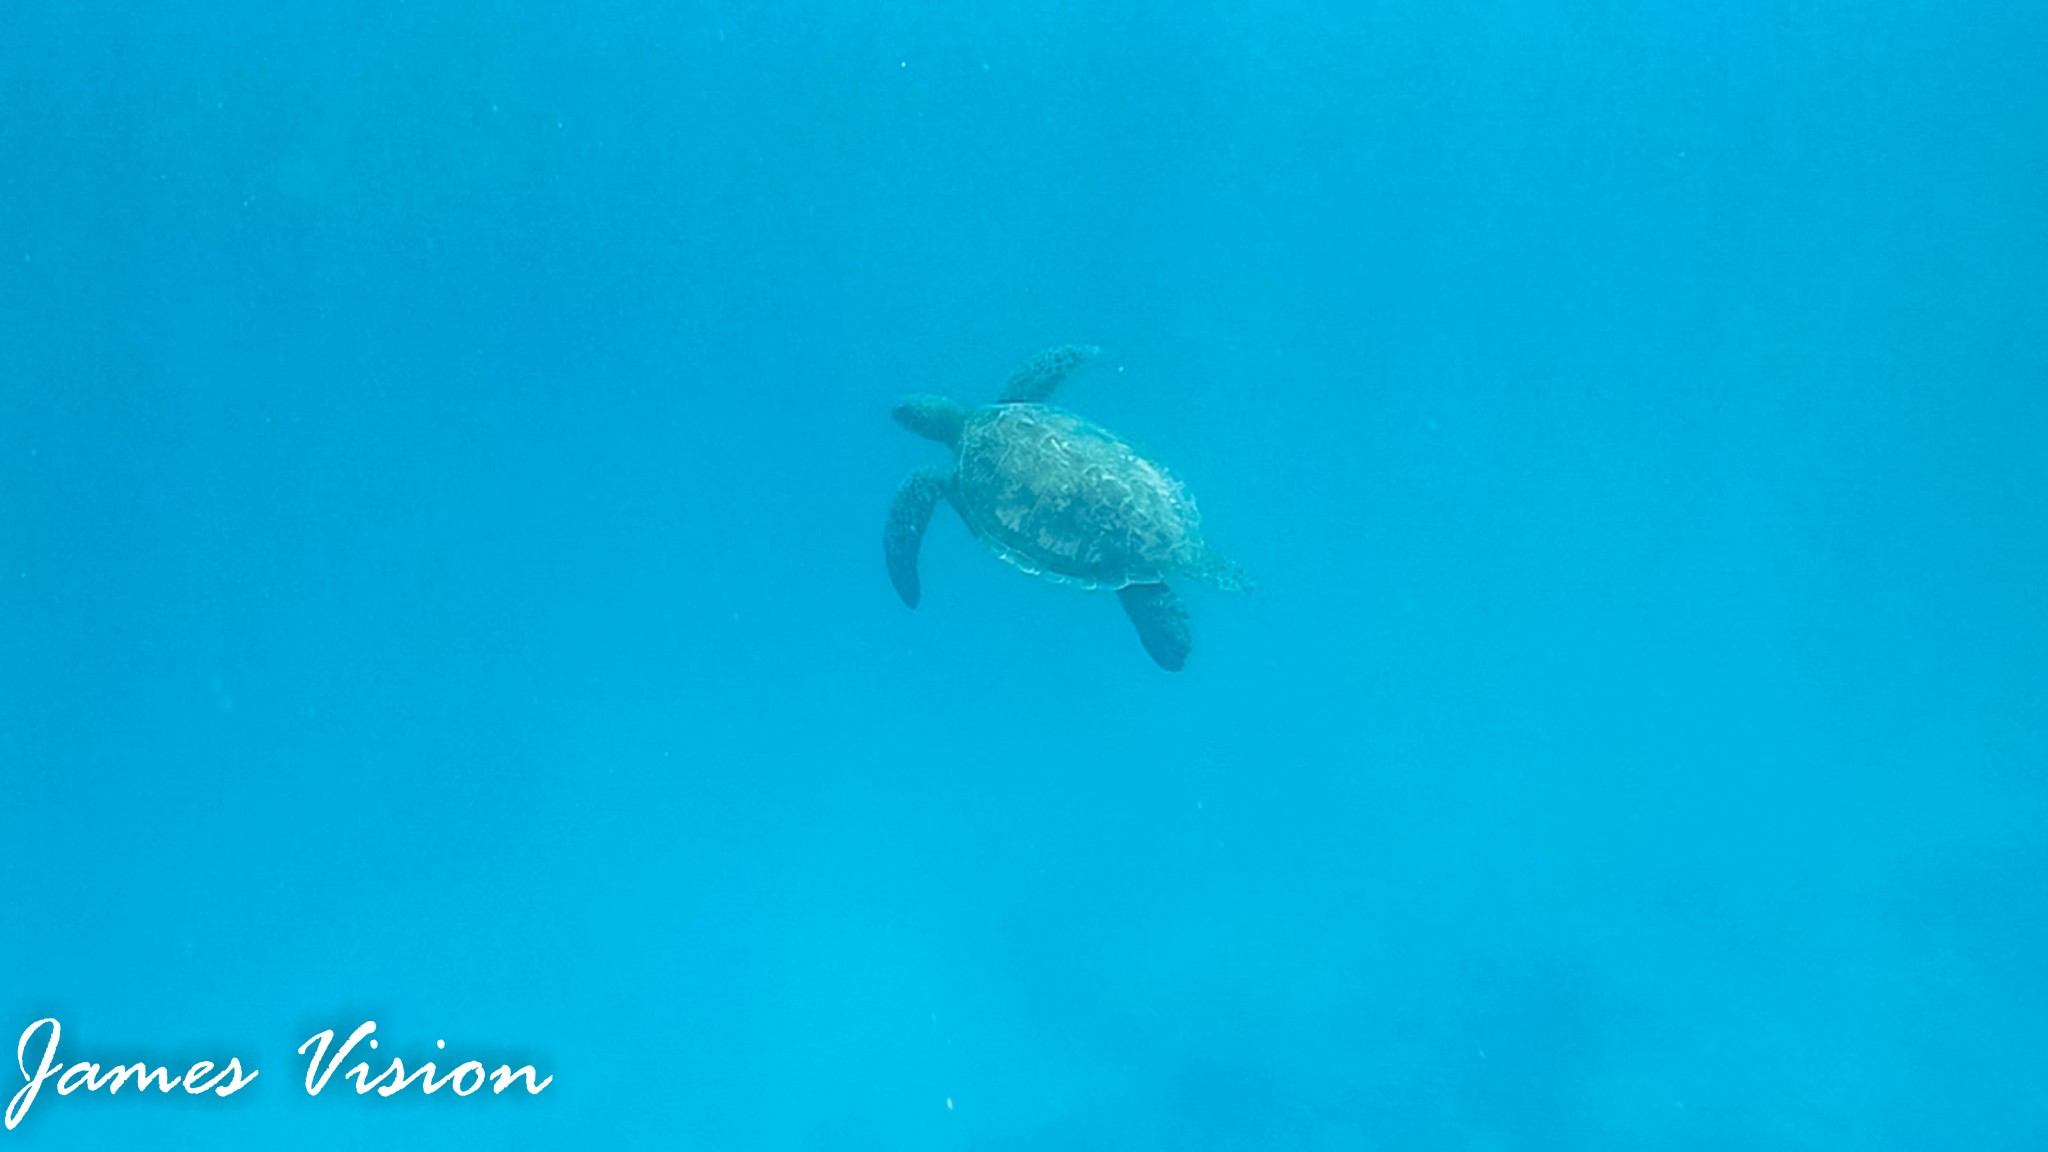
{"points": [[1058, 497]]}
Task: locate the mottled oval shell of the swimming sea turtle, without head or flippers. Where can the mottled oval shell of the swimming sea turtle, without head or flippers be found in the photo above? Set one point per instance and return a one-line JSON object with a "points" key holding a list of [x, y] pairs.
{"points": [[1066, 499]]}
